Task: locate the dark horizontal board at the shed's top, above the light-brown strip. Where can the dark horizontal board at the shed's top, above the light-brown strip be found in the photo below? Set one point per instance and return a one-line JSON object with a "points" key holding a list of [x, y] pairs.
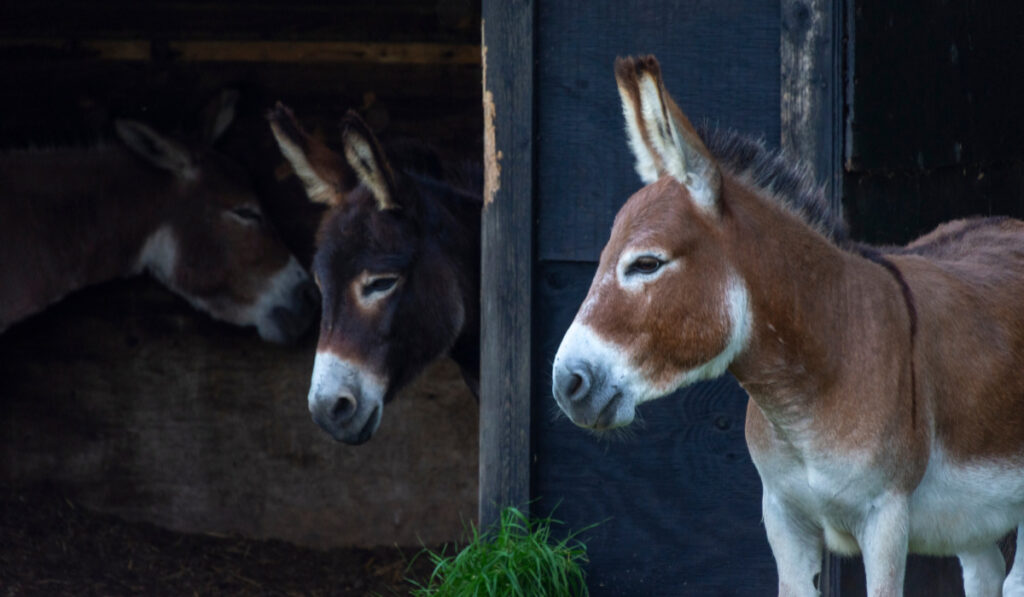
{"points": [[386, 21]]}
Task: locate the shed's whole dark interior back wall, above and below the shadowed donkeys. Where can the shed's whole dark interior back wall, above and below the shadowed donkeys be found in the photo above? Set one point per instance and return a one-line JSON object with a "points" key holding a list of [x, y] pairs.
{"points": [[127, 401]]}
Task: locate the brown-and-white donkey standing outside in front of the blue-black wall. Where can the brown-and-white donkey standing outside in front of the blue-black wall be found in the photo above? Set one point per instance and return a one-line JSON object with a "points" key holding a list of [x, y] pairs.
{"points": [[886, 386]]}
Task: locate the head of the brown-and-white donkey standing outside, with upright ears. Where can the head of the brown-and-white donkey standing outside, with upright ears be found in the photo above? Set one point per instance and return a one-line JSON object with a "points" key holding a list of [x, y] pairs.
{"points": [[665, 309]]}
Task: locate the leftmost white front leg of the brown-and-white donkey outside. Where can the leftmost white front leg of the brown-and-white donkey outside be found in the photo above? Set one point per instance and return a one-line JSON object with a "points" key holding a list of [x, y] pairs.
{"points": [[797, 547]]}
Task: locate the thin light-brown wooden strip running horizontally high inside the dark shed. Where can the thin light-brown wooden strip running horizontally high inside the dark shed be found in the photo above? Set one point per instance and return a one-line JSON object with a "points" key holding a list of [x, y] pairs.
{"points": [[268, 52]]}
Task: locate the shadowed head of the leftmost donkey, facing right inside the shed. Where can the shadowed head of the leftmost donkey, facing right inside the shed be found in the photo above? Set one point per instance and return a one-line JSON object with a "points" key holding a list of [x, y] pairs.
{"points": [[214, 245]]}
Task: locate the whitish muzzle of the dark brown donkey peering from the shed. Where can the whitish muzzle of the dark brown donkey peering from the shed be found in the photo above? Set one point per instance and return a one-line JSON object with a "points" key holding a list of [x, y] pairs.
{"points": [[346, 401]]}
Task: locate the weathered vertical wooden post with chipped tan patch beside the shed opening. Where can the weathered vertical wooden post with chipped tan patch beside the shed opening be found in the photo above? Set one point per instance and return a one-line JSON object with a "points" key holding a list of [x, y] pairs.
{"points": [[507, 255]]}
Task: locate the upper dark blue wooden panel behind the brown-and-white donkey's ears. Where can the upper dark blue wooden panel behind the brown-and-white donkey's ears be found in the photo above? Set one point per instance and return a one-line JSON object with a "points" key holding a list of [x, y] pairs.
{"points": [[720, 61]]}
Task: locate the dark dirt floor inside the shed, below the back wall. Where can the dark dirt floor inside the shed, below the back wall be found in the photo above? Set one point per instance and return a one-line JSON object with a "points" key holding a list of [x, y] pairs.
{"points": [[50, 546]]}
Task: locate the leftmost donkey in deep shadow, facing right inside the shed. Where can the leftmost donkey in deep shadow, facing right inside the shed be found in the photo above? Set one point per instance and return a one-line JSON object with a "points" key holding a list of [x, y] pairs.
{"points": [[76, 217]]}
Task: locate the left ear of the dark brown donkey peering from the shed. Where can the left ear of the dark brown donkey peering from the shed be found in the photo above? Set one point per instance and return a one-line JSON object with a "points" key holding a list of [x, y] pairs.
{"points": [[324, 174]]}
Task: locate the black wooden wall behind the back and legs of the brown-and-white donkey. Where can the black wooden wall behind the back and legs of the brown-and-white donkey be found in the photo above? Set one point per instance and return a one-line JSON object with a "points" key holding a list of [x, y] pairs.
{"points": [[934, 133]]}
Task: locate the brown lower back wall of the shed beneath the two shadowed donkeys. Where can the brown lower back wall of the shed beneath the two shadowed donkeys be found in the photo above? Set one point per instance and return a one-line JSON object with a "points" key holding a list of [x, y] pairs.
{"points": [[126, 400]]}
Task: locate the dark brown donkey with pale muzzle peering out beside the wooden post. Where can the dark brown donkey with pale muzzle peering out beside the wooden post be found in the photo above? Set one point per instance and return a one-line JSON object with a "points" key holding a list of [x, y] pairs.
{"points": [[398, 264]]}
